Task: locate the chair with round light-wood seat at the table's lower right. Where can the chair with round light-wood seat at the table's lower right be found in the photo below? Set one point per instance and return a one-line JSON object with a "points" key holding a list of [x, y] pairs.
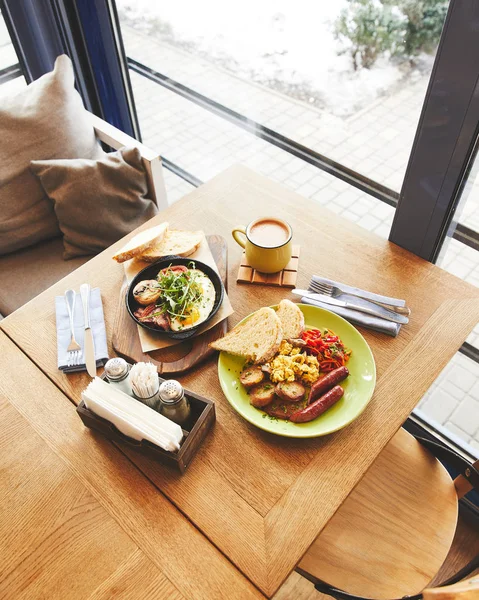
{"points": [[392, 534]]}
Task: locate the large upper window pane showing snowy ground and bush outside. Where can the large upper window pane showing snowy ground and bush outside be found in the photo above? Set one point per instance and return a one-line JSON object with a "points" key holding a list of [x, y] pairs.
{"points": [[345, 78]]}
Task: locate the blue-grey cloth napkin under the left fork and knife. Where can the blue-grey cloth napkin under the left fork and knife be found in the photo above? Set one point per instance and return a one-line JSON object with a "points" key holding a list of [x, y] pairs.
{"points": [[97, 322]]}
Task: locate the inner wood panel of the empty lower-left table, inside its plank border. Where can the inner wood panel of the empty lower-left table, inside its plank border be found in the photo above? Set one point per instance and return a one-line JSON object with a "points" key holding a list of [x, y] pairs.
{"points": [[52, 530]]}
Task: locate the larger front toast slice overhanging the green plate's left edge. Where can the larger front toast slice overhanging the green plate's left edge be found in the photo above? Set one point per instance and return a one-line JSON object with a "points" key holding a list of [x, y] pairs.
{"points": [[257, 339]]}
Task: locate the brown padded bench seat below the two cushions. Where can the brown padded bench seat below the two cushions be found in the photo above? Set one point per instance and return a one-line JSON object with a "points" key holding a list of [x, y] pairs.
{"points": [[28, 272]]}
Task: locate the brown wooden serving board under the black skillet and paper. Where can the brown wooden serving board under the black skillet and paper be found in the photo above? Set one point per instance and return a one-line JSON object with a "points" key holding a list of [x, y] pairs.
{"points": [[184, 356]]}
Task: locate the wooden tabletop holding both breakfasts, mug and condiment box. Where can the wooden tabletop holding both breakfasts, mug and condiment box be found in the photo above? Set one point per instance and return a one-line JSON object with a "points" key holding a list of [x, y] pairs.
{"points": [[262, 499]]}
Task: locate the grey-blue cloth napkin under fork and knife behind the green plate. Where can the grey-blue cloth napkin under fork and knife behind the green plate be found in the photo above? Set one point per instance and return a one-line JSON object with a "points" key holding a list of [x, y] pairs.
{"points": [[354, 316]]}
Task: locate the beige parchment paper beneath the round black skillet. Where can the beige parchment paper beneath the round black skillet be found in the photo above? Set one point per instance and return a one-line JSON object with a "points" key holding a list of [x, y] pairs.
{"points": [[151, 341]]}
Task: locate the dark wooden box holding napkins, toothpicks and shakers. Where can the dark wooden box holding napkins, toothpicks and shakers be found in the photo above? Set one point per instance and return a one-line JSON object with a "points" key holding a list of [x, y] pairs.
{"points": [[202, 417]]}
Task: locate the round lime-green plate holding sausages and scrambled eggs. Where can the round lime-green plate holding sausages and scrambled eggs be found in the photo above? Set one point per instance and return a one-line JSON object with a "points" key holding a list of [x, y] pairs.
{"points": [[358, 387]]}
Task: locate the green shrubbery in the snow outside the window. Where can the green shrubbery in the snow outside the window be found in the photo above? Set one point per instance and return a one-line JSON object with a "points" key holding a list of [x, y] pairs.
{"points": [[401, 27]]}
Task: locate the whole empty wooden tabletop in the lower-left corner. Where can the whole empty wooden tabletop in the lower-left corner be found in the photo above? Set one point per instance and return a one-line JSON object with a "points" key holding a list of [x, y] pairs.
{"points": [[75, 511]]}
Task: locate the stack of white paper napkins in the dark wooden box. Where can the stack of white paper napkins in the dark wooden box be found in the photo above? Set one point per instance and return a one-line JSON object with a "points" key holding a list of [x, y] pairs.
{"points": [[132, 418]]}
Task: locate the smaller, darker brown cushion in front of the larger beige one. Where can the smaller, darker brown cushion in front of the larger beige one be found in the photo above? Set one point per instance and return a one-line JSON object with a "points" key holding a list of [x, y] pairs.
{"points": [[96, 202]]}
